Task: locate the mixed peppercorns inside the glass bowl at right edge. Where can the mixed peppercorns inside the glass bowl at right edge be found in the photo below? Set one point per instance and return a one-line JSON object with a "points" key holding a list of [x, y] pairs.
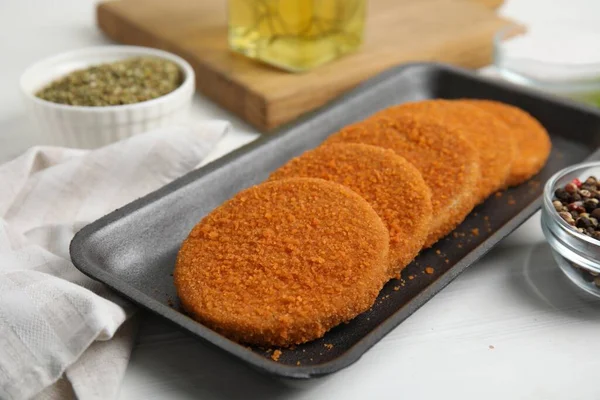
{"points": [[578, 203]]}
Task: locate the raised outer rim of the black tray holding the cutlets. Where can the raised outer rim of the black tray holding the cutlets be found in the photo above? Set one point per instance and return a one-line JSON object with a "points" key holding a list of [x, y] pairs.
{"points": [[76, 248]]}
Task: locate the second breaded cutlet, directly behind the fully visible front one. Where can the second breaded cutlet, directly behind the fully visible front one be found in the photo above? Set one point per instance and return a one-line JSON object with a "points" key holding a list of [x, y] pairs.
{"points": [[392, 185]]}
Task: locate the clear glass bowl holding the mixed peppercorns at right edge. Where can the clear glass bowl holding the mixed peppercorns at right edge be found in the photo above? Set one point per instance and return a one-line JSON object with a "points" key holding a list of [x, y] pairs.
{"points": [[577, 255]]}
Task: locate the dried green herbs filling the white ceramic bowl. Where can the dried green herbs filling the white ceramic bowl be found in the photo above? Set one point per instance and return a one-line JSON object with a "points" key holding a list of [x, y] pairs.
{"points": [[127, 81]]}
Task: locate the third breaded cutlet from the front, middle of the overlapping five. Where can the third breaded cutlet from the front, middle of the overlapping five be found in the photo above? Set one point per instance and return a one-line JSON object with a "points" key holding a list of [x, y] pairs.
{"points": [[447, 161]]}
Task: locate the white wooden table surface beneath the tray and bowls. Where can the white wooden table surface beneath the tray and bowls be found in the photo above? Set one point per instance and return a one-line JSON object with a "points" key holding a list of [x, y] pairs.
{"points": [[511, 327]]}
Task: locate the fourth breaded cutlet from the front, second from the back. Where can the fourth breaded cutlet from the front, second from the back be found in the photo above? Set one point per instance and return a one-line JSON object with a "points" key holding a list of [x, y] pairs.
{"points": [[490, 137]]}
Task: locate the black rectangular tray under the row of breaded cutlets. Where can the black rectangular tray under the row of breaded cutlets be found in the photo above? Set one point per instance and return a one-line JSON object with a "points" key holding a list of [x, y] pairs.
{"points": [[133, 249]]}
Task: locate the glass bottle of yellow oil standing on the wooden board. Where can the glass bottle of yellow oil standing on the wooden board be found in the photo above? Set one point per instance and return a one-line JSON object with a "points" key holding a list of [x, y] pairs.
{"points": [[296, 35]]}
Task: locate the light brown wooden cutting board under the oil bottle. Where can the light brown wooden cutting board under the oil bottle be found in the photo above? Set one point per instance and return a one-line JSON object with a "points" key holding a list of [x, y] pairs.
{"points": [[454, 31]]}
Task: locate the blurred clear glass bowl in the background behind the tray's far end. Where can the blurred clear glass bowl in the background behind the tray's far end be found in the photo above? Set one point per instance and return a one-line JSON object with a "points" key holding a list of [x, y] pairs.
{"points": [[553, 58]]}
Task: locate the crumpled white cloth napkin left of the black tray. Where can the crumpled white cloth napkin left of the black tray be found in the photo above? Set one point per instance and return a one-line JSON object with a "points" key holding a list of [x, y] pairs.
{"points": [[61, 333]]}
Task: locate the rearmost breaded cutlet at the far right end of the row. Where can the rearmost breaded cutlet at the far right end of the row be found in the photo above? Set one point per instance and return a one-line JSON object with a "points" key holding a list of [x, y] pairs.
{"points": [[533, 141]]}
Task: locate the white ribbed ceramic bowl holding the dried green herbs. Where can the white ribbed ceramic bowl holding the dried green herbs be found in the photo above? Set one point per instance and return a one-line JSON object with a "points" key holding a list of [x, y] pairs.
{"points": [[92, 127]]}
